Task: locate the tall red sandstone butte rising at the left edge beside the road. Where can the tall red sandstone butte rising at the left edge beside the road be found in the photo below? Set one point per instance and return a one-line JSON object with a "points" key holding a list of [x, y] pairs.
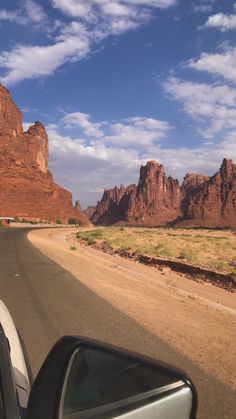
{"points": [[27, 189]]}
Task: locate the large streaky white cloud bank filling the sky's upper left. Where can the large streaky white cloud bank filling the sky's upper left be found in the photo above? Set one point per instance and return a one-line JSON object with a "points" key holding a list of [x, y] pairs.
{"points": [[93, 21]]}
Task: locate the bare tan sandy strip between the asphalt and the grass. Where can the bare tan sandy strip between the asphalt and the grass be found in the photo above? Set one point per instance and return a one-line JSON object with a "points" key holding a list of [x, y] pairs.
{"points": [[198, 320]]}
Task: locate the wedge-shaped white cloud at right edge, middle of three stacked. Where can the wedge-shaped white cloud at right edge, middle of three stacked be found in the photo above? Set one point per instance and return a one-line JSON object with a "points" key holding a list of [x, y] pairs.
{"points": [[223, 65]]}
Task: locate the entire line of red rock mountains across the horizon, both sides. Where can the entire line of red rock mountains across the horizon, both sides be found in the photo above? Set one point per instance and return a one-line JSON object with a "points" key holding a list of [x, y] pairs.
{"points": [[27, 188]]}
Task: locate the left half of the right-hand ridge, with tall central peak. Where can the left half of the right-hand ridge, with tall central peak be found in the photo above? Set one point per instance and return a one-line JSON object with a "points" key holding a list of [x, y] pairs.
{"points": [[156, 200]]}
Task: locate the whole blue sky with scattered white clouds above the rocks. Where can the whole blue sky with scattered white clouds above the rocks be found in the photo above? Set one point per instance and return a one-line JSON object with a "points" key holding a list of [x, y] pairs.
{"points": [[120, 82]]}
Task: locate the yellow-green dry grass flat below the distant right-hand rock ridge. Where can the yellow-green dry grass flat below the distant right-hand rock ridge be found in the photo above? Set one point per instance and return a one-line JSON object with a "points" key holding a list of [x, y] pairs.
{"points": [[213, 249]]}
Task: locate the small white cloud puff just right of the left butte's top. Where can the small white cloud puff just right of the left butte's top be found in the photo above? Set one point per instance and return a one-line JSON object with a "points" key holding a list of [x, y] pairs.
{"points": [[82, 120]]}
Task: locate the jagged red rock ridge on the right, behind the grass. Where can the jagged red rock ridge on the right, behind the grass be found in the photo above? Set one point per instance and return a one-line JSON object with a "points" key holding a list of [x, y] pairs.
{"points": [[200, 201]]}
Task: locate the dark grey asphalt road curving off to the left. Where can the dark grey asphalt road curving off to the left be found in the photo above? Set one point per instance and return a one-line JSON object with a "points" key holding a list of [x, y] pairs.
{"points": [[47, 302]]}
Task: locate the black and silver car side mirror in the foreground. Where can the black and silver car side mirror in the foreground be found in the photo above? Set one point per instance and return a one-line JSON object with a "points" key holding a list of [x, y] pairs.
{"points": [[82, 378]]}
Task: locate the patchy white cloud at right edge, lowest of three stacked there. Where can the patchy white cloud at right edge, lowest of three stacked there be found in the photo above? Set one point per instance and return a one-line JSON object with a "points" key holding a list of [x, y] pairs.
{"points": [[212, 106]]}
